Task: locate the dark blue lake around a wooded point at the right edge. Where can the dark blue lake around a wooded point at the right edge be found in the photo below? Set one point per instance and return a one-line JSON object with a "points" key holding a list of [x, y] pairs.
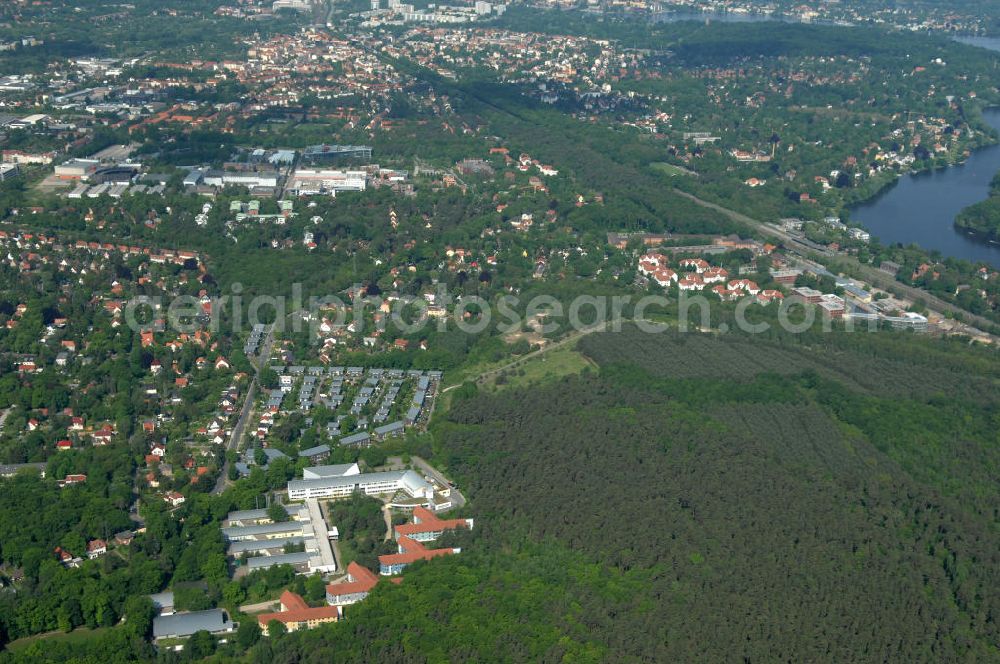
{"points": [[921, 208]]}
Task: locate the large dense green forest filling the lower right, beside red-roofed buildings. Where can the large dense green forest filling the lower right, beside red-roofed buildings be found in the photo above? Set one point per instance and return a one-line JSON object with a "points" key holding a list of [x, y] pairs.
{"points": [[698, 498]]}
